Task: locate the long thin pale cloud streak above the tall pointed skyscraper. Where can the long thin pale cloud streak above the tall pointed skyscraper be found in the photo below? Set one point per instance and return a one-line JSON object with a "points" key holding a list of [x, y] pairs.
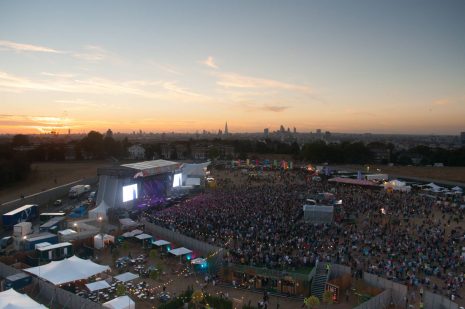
{"points": [[234, 80]]}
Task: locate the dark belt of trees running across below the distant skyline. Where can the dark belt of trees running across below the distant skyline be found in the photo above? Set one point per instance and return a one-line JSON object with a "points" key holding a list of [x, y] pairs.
{"points": [[15, 156]]}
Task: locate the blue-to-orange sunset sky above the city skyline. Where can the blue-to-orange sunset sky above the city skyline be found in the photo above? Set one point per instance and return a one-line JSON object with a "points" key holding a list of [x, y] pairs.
{"points": [[345, 66]]}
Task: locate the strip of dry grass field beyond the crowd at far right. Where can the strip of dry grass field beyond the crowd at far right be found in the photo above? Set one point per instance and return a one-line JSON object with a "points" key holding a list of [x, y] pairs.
{"points": [[447, 173]]}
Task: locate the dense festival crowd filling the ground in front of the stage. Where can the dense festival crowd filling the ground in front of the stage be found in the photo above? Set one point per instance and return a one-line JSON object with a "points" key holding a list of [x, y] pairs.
{"points": [[411, 238]]}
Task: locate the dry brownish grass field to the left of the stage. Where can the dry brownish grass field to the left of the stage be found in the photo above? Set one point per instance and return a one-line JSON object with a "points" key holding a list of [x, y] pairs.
{"points": [[44, 176]]}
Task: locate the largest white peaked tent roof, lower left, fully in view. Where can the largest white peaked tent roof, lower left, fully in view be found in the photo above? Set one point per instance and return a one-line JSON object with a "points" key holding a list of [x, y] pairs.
{"points": [[67, 270]]}
